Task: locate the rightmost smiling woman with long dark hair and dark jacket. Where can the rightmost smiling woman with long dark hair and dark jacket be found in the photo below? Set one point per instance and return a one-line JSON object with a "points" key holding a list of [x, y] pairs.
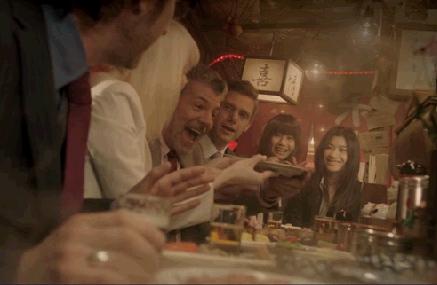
{"points": [[333, 190]]}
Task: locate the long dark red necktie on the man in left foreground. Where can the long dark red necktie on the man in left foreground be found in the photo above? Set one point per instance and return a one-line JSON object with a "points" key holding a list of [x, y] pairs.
{"points": [[78, 121]]}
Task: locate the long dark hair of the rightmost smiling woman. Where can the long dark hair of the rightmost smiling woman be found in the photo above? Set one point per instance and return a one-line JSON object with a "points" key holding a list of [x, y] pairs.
{"points": [[344, 196]]}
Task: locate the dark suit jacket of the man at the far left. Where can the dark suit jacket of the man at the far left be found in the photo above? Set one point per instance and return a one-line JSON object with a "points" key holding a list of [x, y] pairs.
{"points": [[31, 140]]}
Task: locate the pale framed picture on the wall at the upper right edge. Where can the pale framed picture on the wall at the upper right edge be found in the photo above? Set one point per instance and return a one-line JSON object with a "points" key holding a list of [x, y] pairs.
{"points": [[415, 68]]}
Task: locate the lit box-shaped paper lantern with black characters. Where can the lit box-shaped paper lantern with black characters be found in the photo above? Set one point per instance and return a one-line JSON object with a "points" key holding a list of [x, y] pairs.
{"points": [[277, 80]]}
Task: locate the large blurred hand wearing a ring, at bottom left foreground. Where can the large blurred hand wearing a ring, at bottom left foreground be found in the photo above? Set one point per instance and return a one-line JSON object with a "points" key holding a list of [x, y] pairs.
{"points": [[128, 242]]}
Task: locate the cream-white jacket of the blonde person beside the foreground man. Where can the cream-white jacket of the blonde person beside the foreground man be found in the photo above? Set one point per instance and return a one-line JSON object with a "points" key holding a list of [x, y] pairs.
{"points": [[118, 154]]}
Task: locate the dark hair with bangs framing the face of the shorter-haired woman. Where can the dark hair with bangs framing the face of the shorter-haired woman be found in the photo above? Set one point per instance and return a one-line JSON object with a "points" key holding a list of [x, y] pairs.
{"points": [[280, 124]]}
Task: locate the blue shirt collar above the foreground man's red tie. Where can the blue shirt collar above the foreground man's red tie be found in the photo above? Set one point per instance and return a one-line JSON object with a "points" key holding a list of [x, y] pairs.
{"points": [[66, 49]]}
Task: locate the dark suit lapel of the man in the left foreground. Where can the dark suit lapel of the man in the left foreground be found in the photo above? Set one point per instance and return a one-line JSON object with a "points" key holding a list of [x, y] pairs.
{"points": [[38, 95]]}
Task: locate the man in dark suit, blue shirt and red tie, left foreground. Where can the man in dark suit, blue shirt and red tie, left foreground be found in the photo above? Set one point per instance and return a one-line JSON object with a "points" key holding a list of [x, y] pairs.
{"points": [[44, 118]]}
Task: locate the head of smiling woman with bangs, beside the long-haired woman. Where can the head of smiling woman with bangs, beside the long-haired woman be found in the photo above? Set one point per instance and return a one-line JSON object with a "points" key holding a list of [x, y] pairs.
{"points": [[279, 140]]}
